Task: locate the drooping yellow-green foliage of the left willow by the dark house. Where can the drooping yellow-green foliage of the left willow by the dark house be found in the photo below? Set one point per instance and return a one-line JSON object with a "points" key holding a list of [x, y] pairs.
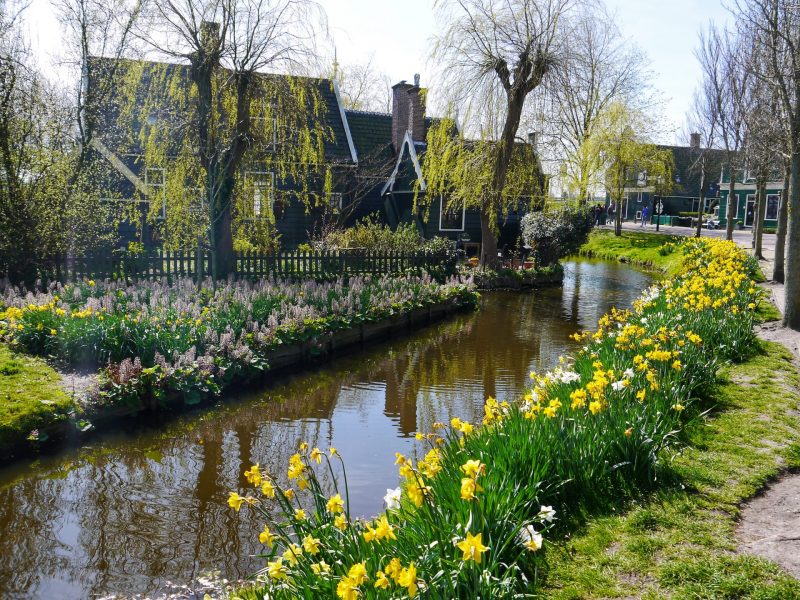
{"points": [[285, 117]]}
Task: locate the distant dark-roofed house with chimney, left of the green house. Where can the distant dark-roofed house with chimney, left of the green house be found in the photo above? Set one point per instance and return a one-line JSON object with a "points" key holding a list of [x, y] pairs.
{"points": [[684, 196]]}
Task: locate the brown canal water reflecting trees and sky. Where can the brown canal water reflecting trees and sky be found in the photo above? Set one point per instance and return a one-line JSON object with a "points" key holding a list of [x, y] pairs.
{"points": [[138, 508]]}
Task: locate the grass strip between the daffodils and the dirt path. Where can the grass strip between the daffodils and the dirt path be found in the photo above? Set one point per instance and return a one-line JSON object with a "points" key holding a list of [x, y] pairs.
{"points": [[680, 542]]}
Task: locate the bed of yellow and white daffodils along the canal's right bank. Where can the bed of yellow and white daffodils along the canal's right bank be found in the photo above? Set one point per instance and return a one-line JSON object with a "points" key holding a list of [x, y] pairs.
{"points": [[475, 506]]}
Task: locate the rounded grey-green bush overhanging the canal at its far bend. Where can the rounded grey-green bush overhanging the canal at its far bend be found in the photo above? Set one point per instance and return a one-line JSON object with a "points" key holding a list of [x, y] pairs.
{"points": [[554, 235]]}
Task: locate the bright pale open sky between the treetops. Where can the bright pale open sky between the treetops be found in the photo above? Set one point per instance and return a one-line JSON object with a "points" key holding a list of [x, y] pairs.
{"points": [[397, 35]]}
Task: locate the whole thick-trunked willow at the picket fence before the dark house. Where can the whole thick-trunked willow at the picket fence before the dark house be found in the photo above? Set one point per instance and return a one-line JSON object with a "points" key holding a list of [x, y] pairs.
{"points": [[218, 136]]}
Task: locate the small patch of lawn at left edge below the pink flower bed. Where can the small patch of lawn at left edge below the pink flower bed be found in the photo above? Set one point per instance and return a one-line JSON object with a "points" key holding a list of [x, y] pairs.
{"points": [[31, 397]]}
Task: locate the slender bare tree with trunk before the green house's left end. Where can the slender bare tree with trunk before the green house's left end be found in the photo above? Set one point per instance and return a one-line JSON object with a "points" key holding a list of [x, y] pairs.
{"points": [[725, 79]]}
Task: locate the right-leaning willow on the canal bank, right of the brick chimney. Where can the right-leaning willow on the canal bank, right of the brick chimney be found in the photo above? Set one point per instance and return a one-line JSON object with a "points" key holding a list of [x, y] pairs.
{"points": [[492, 56]]}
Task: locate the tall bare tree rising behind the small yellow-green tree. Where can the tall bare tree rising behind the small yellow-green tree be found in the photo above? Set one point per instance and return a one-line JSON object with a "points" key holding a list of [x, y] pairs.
{"points": [[601, 68]]}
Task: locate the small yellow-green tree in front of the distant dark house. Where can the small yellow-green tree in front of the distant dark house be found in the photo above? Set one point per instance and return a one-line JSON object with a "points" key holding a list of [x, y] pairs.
{"points": [[620, 141]]}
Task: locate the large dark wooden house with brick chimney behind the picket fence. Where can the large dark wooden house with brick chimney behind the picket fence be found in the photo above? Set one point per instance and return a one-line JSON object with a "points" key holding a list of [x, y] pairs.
{"points": [[375, 160]]}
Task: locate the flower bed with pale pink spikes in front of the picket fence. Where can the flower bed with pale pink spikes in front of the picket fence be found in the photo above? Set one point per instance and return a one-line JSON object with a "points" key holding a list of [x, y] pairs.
{"points": [[155, 338]]}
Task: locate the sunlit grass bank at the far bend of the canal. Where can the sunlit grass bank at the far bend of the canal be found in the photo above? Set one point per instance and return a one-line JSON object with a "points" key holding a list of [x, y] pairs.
{"points": [[651, 250]]}
